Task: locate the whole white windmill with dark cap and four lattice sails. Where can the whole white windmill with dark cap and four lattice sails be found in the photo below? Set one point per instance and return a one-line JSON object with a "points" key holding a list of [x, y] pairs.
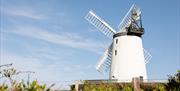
{"points": [[125, 57]]}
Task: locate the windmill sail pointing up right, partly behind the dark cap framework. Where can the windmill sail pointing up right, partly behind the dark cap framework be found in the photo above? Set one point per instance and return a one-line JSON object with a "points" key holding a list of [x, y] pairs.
{"points": [[128, 18]]}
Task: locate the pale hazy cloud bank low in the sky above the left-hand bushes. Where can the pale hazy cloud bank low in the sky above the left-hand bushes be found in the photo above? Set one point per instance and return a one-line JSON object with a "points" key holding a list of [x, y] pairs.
{"points": [[58, 72]]}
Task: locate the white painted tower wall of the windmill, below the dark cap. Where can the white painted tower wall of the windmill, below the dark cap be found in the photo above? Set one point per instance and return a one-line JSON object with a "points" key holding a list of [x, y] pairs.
{"points": [[129, 61]]}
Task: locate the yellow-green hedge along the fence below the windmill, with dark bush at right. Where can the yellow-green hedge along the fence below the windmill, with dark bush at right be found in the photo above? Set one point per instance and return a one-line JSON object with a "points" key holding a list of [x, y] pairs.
{"points": [[173, 84]]}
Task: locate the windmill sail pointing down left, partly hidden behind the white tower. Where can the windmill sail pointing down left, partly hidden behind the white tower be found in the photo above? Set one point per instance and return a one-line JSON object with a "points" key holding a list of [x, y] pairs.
{"points": [[105, 61]]}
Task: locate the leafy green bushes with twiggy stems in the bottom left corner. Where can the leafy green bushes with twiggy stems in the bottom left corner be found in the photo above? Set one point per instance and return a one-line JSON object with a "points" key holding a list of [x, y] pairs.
{"points": [[20, 86]]}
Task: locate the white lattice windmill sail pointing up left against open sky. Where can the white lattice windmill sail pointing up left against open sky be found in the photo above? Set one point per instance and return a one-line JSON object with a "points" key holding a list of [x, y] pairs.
{"points": [[100, 24]]}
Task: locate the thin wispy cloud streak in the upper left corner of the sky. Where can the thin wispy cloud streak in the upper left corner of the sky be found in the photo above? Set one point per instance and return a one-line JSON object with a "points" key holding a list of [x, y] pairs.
{"points": [[23, 12]]}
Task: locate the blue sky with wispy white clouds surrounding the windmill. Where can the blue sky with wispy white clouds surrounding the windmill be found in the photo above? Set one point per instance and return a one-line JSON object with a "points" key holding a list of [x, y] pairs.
{"points": [[53, 39]]}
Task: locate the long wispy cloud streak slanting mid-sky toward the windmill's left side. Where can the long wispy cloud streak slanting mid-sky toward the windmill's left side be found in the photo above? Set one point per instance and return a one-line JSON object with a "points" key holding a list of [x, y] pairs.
{"points": [[72, 40]]}
